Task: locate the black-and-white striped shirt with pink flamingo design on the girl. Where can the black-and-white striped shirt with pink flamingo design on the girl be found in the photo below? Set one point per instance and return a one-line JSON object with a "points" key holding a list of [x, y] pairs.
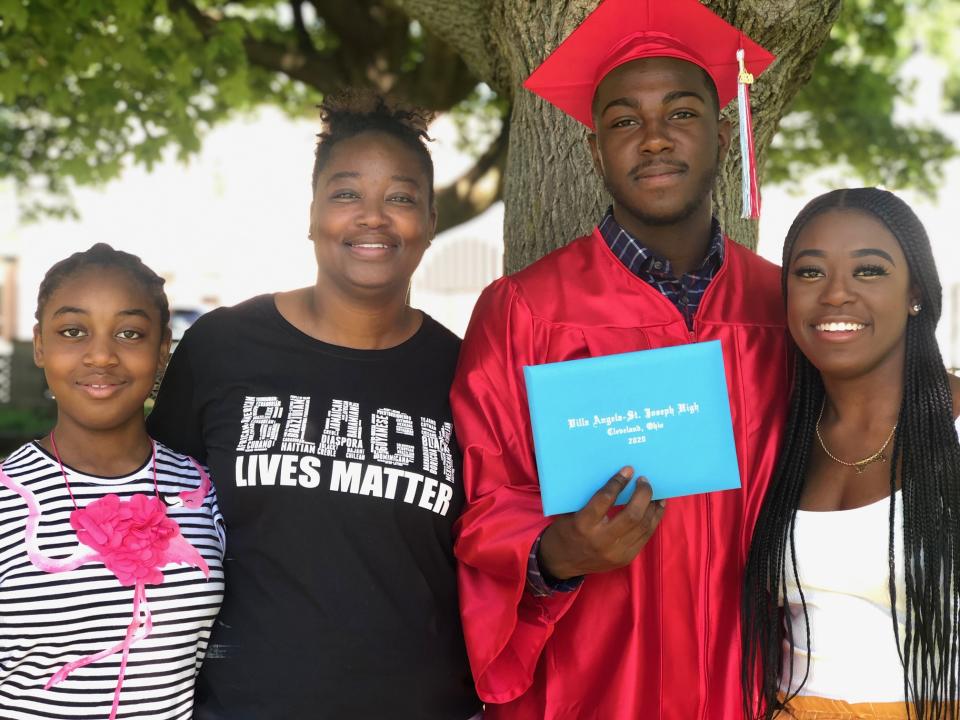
{"points": [[48, 619]]}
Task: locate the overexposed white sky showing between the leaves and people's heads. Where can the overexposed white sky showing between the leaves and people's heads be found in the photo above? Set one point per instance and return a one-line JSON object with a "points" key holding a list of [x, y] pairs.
{"points": [[232, 222]]}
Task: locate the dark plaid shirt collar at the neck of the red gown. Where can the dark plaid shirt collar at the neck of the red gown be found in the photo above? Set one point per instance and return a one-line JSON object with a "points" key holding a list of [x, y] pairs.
{"points": [[684, 292]]}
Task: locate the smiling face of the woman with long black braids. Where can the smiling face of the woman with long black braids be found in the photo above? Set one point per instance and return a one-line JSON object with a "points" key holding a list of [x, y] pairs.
{"points": [[849, 295]]}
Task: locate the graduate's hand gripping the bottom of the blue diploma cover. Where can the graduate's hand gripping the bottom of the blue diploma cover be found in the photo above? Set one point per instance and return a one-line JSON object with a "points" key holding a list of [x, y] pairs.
{"points": [[589, 541]]}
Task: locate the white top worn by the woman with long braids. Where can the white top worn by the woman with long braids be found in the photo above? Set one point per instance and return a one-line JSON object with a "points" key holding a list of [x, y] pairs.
{"points": [[843, 565]]}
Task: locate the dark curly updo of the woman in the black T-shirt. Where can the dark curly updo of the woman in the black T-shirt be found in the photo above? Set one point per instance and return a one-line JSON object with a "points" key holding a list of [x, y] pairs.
{"points": [[353, 111]]}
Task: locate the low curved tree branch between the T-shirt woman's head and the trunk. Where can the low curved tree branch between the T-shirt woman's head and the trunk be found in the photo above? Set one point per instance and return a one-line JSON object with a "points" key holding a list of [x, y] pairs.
{"points": [[478, 188]]}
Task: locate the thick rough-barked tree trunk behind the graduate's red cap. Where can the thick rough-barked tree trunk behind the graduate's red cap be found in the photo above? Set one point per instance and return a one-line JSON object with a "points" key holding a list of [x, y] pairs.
{"points": [[552, 193]]}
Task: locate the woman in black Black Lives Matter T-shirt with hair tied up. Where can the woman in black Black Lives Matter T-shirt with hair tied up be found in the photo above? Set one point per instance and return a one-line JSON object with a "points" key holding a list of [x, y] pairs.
{"points": [[323, 416]]}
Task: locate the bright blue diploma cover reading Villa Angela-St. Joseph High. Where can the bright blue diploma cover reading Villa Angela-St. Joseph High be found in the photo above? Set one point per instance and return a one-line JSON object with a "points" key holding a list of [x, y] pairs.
{"points": [[664, 411]]}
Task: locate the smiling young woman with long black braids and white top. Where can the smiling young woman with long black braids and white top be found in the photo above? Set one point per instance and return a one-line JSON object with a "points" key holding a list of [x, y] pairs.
{"points": [[852, 588]]}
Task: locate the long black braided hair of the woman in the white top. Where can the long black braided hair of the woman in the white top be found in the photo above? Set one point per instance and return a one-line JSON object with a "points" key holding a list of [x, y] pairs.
{"points": [[927, 453]]}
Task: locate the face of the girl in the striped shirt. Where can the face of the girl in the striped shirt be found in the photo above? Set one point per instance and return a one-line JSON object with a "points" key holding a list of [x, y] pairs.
{"points": [[100, 344]]}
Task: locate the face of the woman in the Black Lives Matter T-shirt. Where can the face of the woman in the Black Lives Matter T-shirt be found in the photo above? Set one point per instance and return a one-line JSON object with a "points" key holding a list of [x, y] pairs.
{"points": [[371, 218]]}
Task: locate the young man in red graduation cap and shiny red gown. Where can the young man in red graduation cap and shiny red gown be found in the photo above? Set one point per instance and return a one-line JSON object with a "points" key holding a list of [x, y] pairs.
{"points": [[631, 613]]}
